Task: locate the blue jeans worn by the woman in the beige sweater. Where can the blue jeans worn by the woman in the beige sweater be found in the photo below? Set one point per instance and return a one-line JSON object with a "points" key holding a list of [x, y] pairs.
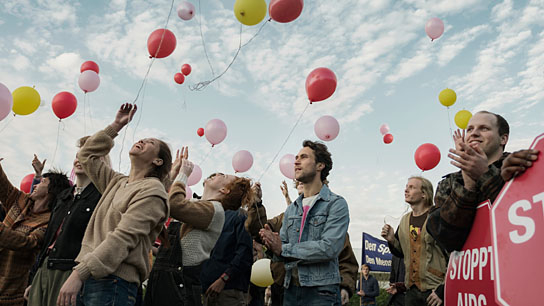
{"points": [[110, 290]]}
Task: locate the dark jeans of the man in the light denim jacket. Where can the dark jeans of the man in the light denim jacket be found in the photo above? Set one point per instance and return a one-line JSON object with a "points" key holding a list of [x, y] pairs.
{"points": [[328, 295]]}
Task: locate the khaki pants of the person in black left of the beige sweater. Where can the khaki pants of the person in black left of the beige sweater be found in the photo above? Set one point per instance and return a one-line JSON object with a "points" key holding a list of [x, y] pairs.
{"points": [[46, 286]]}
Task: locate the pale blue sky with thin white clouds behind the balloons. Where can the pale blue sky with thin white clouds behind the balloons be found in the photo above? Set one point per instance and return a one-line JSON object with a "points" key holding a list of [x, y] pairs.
{"points": [[387, 69]]}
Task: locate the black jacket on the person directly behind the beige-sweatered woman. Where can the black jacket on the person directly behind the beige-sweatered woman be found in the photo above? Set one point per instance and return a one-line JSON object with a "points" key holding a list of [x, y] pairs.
{"points": [[73, 214]]}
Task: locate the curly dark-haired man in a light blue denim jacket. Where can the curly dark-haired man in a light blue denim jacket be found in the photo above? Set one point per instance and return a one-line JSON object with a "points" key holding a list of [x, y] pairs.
{"points": [[312, 234]]}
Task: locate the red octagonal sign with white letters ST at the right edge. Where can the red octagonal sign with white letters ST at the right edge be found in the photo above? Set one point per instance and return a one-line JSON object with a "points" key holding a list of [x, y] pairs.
{"points": [[517, 229]]}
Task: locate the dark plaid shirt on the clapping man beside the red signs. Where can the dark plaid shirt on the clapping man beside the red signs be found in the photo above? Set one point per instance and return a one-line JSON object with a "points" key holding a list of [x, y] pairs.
{"points": [[451, 220]]}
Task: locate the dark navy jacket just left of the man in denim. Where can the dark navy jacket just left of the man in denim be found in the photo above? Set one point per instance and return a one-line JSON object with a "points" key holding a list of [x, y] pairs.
{"points": [[232, 254]]}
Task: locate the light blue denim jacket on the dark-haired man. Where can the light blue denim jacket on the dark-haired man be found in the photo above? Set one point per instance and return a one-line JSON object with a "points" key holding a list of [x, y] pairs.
{"points": [[323, 236]]}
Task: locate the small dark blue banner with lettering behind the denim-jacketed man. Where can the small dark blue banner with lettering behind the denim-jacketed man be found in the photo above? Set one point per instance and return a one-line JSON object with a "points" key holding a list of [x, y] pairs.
{"points": [[376, 253]]}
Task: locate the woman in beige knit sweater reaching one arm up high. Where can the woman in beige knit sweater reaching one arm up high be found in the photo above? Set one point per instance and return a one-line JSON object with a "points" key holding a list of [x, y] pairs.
{"points": [[113, 259]]}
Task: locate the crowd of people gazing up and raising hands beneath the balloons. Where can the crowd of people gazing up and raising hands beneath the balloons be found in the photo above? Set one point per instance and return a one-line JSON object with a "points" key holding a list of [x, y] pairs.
{"points": [[97, 242]]}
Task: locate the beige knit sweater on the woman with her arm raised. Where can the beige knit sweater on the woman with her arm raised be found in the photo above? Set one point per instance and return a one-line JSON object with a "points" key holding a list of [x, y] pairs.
{"points": [[127, 219]]}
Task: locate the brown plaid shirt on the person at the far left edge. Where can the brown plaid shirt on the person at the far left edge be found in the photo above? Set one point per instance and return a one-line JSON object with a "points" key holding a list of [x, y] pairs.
{"points": [[21, 235]]}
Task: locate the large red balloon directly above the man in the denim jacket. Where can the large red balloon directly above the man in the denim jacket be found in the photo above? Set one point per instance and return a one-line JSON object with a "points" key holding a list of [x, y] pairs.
{"points": [[320, 84]]}
